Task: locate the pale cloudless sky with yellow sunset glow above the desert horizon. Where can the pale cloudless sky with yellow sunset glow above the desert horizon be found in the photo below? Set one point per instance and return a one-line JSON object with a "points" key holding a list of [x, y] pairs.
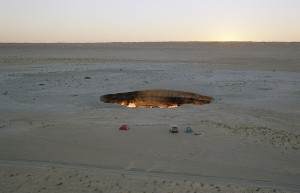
{"points": [[149, 20]]}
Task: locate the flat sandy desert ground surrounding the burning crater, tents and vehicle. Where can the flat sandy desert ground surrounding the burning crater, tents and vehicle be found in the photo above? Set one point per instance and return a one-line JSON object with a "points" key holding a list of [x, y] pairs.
{"points": [[56, 136]]}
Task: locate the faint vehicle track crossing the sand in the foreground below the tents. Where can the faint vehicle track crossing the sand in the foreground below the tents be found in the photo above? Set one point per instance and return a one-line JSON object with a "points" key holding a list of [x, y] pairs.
{"points": [[155, 174]]}
